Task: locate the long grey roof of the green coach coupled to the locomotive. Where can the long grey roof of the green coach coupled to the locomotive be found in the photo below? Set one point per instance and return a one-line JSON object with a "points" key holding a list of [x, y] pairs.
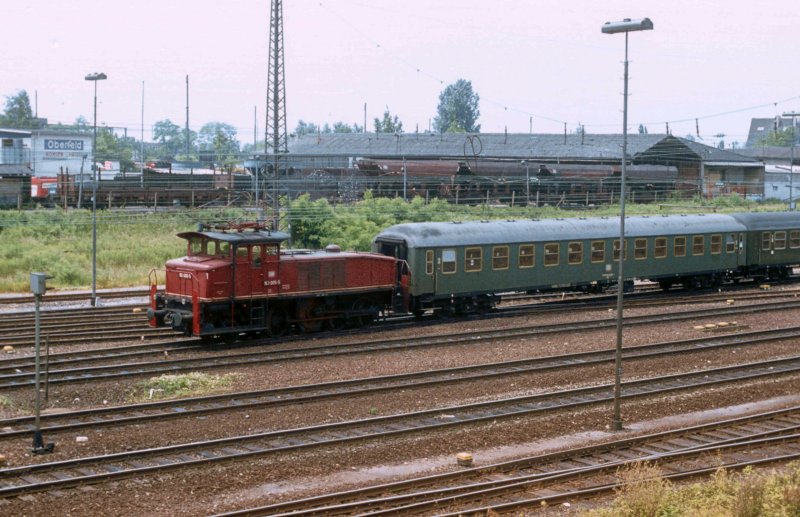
{"points": [[494, 232]]}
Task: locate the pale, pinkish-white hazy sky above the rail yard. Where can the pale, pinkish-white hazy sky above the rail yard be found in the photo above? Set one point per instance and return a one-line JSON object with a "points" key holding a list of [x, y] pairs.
{"points": [[541, 58]]}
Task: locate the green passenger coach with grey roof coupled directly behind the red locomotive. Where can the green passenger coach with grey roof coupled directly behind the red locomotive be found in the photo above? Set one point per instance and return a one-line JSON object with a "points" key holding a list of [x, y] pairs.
{"points": [[460, 267]]}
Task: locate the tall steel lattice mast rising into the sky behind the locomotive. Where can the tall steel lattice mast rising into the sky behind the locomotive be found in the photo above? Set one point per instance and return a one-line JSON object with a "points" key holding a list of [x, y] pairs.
{"points": [[275, 139]]}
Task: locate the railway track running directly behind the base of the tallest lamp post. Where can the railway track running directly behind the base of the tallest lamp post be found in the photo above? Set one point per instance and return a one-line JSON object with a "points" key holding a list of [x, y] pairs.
{"points": [[16, 481]]}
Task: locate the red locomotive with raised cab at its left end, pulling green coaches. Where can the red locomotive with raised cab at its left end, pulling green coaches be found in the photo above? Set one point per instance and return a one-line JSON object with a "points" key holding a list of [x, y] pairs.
{"points": [[236, 279]]}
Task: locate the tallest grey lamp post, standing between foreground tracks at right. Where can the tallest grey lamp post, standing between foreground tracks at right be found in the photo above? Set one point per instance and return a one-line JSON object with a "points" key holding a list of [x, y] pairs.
{"points": [[627, 25]]}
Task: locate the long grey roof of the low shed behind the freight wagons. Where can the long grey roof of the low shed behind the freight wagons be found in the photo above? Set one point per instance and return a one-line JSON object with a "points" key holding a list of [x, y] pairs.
{"points": [[543, 147]]}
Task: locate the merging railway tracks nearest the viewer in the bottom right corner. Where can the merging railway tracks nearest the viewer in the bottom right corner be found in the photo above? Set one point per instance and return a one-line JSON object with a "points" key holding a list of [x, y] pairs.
{"points": [[568, 475]]}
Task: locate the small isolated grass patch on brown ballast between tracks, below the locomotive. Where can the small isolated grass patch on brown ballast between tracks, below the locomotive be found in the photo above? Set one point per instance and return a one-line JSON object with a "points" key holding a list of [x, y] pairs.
{"points": [[185, 385]]}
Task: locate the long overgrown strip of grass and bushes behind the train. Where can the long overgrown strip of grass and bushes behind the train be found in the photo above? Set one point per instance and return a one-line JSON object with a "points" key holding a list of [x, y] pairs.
{"points": [[129, 245]]}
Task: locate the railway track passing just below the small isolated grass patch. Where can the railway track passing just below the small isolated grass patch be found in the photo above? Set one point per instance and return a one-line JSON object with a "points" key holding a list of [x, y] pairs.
{"points": [[192, 407]]}
